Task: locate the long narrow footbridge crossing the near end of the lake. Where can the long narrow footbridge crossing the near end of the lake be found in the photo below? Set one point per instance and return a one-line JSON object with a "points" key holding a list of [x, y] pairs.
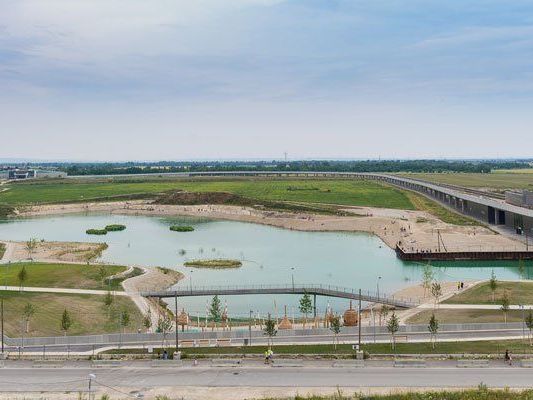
{"points": [[314, 290]]}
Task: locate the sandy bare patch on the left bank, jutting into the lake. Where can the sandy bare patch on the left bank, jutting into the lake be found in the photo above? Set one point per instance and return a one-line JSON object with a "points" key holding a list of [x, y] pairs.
{"points": [[53, 252]]}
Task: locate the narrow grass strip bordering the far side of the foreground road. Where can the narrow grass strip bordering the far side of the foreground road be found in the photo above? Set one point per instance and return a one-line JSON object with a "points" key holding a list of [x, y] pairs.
{"points": [[475, 347]]}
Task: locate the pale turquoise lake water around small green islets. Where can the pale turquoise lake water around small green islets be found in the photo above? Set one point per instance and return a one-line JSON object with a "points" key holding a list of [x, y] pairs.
{"points": [[269, 255]]}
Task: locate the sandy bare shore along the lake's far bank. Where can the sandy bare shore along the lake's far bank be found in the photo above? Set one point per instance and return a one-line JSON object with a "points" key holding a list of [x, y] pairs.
{"points": [[417, 230]]}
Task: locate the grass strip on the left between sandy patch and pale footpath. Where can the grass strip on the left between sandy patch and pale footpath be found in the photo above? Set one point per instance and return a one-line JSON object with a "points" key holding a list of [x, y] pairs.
{"points": [[78, 276]]}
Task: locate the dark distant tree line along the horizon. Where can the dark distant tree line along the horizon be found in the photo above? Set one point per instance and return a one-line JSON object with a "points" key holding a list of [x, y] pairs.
{"points": [[478, 166]]}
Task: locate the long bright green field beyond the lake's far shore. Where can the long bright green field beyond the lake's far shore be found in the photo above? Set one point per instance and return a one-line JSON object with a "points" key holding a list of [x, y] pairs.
{"points": [[341, 192]]}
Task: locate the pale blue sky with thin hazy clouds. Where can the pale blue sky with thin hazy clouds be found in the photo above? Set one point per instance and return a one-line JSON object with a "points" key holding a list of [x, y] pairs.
{"points": [[248, 79]]}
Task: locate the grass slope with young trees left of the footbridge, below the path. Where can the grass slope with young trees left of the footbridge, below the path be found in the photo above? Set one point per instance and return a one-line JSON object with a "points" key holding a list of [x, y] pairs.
{"points": [[88, 312]]}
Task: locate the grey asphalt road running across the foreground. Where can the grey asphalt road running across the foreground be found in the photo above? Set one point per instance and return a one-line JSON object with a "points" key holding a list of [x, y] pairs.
{"points": [[443, 375]]}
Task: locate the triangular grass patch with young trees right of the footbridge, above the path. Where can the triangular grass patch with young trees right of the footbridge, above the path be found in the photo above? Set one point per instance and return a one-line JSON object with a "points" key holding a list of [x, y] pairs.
{"points": [[518, 292]]}
